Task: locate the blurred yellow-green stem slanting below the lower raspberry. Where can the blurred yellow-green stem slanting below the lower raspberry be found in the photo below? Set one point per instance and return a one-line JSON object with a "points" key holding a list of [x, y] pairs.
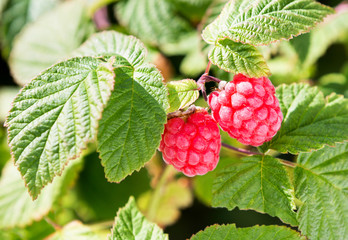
{"points": [[158, 193]]}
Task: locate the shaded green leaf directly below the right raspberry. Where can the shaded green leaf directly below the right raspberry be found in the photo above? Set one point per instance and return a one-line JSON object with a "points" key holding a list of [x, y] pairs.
{"points": [[260, 183]]}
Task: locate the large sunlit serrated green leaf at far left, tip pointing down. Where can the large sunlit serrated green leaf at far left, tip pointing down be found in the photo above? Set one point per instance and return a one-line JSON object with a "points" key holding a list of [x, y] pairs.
{"points": [[54, 116]]}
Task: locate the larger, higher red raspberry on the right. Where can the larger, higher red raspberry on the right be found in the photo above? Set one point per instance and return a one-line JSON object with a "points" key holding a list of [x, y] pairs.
{"points": [[247, 109]]}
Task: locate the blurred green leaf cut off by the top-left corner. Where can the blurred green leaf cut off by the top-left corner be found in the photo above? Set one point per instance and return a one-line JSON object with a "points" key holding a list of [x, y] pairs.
{"points": [[18, 13]]}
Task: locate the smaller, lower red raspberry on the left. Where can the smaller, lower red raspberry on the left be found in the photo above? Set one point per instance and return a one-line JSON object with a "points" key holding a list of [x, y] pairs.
{"points": [[192, 145]]}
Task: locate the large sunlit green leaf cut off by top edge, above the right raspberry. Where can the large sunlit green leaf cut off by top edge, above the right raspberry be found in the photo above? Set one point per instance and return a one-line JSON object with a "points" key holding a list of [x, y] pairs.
{"points": [[261, 22]]}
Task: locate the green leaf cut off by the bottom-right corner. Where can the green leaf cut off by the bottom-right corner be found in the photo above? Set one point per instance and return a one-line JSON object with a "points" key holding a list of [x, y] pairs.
{"points": [[321, 183]]}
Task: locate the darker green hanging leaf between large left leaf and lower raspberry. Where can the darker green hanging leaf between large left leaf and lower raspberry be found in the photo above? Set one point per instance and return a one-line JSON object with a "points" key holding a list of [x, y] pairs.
{"points": [[133, 121]]}
